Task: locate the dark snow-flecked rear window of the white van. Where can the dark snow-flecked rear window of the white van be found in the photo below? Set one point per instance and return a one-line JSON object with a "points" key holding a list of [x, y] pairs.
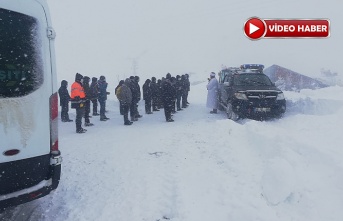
{"points": [[21, 69]]}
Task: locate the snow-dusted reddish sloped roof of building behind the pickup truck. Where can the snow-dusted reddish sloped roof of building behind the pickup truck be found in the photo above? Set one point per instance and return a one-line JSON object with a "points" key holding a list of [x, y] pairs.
{"points": [[289, 80]]}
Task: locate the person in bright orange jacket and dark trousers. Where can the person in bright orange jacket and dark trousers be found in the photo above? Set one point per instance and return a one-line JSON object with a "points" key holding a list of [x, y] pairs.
{"points": [[78, 101]]}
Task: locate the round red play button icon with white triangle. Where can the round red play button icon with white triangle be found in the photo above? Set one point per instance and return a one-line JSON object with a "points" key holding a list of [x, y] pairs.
{"points": [[254, 28]]}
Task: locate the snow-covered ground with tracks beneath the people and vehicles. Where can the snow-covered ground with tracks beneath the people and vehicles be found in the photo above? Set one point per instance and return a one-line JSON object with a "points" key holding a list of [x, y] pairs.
{"points": [[202, 166]]}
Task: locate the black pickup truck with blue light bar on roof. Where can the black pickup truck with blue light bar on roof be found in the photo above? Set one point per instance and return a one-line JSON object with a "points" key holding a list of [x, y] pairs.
{"points": [[246, 92]]}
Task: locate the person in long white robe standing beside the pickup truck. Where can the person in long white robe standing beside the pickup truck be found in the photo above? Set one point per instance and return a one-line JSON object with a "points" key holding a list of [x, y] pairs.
{"points": [[212, 93]]}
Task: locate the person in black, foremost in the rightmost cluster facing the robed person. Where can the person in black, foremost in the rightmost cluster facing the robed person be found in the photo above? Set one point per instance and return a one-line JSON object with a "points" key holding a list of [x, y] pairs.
{"points": [[168, 93]]}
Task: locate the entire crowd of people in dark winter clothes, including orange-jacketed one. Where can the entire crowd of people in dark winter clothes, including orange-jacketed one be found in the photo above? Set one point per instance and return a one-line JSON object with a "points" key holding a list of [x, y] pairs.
{"points": [[169, 93]]}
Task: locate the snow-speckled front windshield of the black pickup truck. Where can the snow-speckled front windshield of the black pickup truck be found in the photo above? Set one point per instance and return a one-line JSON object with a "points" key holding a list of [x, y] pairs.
{"points": [[251, 80]]}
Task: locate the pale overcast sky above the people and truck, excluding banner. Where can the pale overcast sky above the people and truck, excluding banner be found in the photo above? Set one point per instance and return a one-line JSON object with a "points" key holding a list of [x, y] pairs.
{"points": [[119, 38]]}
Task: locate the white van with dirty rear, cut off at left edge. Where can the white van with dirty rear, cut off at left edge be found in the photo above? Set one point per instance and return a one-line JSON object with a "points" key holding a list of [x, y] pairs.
{"points": [[30, 162]]}
